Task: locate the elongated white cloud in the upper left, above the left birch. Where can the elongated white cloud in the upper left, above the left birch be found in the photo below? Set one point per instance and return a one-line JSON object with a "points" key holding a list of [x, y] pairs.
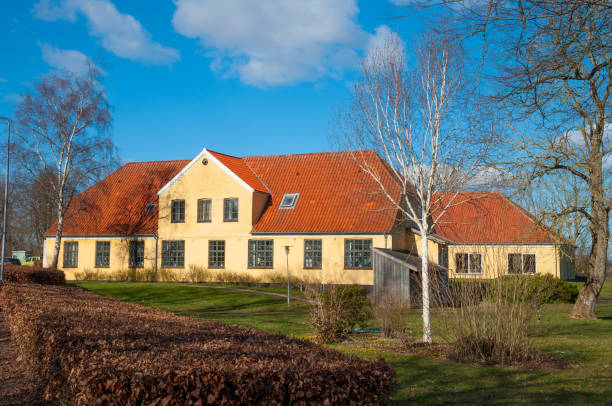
{"points": [[119, 33]]}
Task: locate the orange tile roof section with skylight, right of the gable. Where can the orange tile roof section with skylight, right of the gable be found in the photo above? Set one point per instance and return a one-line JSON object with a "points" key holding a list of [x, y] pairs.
{"points": [[335, 195]]}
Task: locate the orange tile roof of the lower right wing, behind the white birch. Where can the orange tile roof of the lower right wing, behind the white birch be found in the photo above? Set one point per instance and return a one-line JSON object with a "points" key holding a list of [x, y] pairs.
{"points": [[488, 218]]}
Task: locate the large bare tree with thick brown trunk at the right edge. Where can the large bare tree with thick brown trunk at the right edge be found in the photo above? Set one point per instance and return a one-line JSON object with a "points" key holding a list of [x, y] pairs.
{"points": [[551, 65]]}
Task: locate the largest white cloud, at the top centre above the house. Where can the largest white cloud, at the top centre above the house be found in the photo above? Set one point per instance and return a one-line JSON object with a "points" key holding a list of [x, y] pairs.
{"points": [[268, 43]]}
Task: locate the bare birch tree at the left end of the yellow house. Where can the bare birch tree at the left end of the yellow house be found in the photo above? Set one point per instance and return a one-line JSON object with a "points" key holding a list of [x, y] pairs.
{"points": [[63, 129]]}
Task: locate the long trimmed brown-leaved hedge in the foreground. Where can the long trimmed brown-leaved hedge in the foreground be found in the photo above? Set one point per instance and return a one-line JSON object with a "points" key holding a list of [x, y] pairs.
{"points": [[93, 350]]}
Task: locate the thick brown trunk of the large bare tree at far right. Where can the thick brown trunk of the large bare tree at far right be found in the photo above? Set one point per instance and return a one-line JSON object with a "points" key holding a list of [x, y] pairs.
{"points": [[584, 308]]}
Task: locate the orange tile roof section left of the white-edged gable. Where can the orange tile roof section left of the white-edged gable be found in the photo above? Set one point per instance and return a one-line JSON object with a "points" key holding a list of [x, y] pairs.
{"points": [[118, 204]]}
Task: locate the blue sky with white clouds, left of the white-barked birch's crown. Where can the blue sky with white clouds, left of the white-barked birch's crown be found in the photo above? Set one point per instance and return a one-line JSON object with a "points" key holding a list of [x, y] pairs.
{"points": [[242, 77]]}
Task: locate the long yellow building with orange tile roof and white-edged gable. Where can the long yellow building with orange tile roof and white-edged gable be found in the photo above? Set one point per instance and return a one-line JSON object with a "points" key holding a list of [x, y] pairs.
{"points": [[225, 214]]}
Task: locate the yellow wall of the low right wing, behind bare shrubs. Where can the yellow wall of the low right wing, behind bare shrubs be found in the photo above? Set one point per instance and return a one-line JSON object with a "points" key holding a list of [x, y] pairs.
{"points": [[494, 260]]}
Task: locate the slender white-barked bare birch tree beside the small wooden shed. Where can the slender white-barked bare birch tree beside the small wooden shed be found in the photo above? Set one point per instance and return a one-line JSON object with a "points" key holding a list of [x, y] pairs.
{"points": [[416, 118]]}
